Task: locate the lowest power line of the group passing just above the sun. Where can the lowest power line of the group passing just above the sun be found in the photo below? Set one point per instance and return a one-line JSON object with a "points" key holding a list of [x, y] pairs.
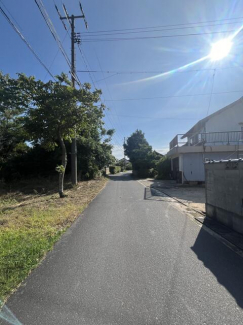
{"points": [[87, 40]]}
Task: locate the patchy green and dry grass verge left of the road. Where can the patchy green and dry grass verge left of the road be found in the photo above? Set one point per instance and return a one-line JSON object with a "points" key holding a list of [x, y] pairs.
{"points": [[32, 220]]}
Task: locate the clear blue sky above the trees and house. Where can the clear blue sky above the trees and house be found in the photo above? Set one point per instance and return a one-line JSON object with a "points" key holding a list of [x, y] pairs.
{"points": [[159, 118]]}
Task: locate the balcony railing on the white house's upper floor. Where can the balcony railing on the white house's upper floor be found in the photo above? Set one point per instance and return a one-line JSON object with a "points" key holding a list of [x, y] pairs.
{"points": [[227, 138]]}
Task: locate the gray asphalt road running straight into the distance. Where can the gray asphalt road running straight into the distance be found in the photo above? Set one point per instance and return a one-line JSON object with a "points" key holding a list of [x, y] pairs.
{"points": [[133, 258]]}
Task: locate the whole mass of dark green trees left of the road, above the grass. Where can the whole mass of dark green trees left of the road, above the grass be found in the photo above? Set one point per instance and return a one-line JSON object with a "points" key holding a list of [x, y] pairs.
{"points": [[37, 123]]}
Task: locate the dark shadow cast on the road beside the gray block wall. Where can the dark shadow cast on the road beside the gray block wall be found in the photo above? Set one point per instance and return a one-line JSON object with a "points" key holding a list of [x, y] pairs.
{"points": [[225, 264]]}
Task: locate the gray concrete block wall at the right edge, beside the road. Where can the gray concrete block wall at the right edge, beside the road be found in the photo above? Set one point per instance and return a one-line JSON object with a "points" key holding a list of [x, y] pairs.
{"points": [[224, 193]]}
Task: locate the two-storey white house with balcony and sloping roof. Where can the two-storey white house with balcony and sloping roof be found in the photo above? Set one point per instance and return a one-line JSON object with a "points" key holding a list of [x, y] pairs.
{"points": [[217, 136]]}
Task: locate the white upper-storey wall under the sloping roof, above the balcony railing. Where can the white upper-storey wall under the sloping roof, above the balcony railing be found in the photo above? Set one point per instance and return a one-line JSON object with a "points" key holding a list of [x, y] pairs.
{"points": [[228, 120]]}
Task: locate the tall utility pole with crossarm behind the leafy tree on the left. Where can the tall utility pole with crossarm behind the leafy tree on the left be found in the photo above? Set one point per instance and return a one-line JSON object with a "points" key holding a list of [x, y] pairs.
{"points": [[75, 39]]}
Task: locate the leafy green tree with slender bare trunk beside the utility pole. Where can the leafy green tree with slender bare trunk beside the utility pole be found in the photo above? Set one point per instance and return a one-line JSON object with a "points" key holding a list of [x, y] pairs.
{"points": [[57, 111]]}
